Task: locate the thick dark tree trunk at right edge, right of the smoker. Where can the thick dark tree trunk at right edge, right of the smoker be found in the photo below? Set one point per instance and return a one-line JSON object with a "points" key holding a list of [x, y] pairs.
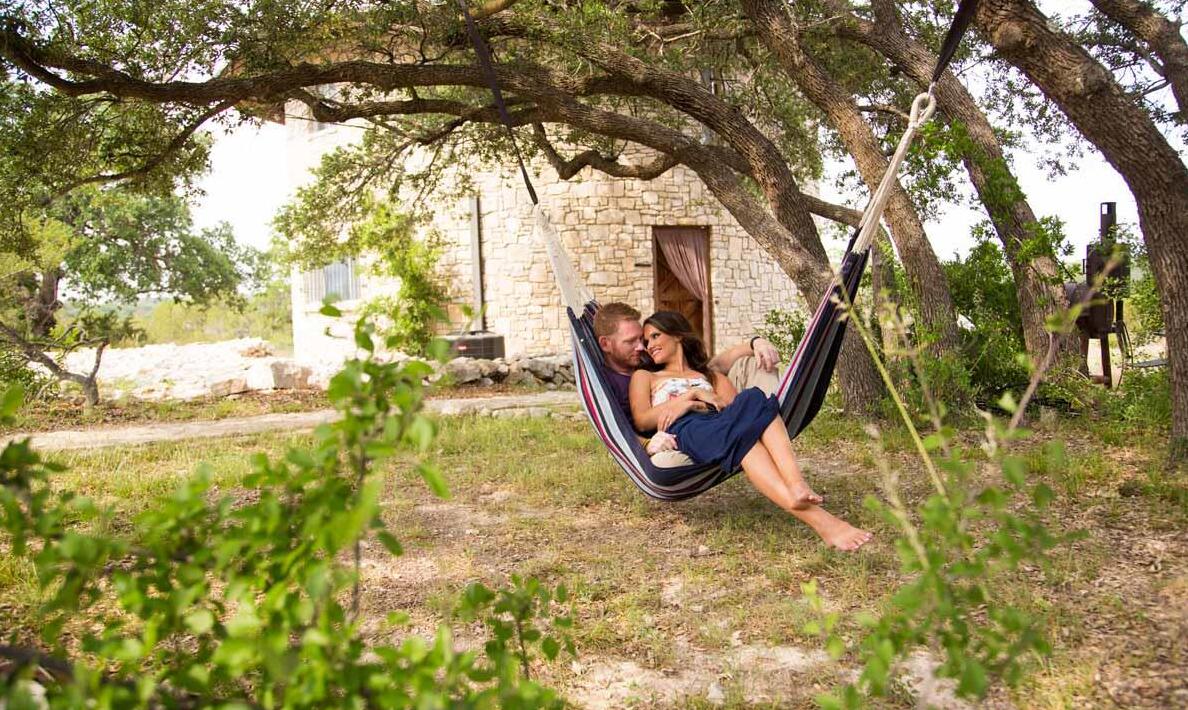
{"points": [[1129, 140]]}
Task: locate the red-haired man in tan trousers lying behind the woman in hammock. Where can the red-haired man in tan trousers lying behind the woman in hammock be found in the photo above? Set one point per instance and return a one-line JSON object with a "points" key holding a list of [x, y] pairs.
{"points": [[621, 338]]}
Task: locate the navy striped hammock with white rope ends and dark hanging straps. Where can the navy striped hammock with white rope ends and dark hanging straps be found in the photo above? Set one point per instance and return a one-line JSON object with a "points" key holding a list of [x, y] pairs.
{"points": [[806, 382]]}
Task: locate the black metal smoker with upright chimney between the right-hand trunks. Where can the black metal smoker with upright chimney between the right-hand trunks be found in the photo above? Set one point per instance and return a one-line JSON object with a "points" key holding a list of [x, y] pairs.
{"points": [[1104, 316]]}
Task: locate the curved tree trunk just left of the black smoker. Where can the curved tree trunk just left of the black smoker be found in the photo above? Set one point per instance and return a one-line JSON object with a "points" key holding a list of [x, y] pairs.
{"points": [[1037, 274]]}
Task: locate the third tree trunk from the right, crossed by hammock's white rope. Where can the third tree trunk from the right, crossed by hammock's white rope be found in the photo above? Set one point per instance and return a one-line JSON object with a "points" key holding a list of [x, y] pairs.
{"points": [[926, 278]]}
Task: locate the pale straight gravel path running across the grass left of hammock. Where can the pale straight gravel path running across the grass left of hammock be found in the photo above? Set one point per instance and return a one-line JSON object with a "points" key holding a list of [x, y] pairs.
{"points": [[122, 436]]}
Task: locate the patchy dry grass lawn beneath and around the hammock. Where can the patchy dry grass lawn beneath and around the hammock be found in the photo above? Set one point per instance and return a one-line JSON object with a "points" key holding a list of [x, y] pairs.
{"points": [[680, 587]]}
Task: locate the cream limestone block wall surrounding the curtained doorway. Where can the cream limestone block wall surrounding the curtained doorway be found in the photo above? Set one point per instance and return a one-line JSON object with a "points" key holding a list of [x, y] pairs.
{"points": [[606, 226]]}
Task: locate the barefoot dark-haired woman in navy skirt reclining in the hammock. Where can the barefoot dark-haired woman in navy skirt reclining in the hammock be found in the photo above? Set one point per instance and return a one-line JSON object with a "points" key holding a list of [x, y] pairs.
{"points": [[717, 426]]}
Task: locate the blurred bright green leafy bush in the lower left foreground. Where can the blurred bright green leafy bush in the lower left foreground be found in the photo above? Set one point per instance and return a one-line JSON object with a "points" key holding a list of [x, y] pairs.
{"points": [[254, 600]]}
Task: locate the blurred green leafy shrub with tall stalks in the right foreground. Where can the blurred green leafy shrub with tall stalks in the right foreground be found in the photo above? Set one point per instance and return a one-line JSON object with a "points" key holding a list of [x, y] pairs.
{"points": [[957, 551]]}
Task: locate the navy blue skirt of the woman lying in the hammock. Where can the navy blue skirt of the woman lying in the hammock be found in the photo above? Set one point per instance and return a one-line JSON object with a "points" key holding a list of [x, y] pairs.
{"points": [[728, 436]]}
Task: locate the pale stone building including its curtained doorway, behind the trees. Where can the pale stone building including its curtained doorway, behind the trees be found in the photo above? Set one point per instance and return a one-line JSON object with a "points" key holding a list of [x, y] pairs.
{"points": [[614, 230]]}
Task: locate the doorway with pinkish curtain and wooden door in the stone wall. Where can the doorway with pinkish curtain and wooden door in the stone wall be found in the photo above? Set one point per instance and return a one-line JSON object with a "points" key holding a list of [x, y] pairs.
{"points": [[681, 277]]}
